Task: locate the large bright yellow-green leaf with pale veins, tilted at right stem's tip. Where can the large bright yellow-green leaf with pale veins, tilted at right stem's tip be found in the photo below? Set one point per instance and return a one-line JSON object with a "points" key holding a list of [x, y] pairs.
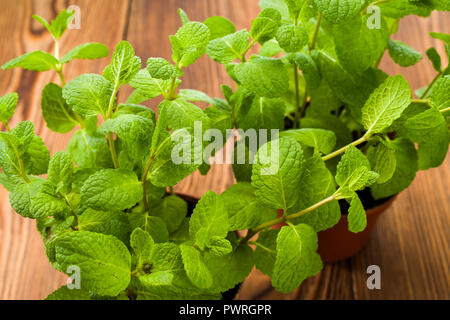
{"points": [[386, 104]]}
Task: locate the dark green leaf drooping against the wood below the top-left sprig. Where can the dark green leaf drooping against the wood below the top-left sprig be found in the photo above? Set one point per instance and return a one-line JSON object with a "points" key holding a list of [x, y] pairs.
{"points": [[58, 116]]}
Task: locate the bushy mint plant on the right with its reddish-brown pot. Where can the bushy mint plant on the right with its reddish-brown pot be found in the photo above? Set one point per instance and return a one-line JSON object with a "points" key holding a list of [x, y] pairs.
{"points": [[314, 76]]}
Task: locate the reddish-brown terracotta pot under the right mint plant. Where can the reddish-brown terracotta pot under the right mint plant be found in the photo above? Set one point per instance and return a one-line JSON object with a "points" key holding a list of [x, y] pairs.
{"points": [[338, 243]]}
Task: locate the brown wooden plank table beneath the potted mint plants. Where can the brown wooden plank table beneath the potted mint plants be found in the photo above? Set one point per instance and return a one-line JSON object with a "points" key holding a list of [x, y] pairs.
{"points": [[411, 241]]}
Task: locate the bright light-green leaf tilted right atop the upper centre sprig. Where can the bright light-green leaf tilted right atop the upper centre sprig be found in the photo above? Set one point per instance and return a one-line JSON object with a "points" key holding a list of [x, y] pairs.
{"points": [[189, 43]]}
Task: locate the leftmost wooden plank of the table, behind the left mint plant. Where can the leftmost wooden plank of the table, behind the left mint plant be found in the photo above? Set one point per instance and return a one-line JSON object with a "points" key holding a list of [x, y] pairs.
{"points": [[24, 270]]}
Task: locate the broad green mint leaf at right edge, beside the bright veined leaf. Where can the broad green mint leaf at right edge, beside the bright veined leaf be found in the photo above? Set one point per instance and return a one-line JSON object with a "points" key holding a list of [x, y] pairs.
{"points": [[429, 130]]}
